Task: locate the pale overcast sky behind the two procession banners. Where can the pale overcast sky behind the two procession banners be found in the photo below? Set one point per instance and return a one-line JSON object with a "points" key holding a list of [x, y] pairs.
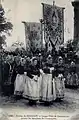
{"points": [[31, 11]]}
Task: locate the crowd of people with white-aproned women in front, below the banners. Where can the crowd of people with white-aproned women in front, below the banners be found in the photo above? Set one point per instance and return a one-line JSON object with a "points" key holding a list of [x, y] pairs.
{"points": [[38, 78]]}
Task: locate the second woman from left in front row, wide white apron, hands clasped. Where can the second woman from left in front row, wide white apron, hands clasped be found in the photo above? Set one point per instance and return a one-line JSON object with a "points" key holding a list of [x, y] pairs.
{"points": [[31, 91]]}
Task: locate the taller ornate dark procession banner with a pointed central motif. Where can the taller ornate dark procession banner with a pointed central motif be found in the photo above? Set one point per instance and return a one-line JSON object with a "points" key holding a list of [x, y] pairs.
{"points": [[53, 17]]}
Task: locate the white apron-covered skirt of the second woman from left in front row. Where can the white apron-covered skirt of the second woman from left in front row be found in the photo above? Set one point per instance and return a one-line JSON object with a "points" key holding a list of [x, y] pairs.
{"points": [[31, 89]]}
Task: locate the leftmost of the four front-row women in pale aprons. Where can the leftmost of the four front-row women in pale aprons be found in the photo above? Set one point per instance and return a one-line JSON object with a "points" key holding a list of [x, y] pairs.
{"points": [[20, 79]]}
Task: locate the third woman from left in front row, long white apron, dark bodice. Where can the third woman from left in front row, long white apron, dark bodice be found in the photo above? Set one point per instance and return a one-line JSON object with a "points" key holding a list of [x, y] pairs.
{"points": [[47, 88]]}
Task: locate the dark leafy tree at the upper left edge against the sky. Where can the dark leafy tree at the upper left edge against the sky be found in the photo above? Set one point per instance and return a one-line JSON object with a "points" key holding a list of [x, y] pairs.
{"points": [[5, 27]]}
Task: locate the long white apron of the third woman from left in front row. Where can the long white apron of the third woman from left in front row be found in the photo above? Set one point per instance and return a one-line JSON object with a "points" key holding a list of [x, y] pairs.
{"points": [[47, 88]]}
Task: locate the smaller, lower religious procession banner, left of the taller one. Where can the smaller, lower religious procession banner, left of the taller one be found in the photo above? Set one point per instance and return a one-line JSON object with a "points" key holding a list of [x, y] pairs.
{"points": [[33, 36]]}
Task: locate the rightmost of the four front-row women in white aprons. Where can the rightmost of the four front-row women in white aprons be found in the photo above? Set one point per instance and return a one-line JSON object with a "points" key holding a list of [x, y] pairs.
{"points": [[59, 79]]}
